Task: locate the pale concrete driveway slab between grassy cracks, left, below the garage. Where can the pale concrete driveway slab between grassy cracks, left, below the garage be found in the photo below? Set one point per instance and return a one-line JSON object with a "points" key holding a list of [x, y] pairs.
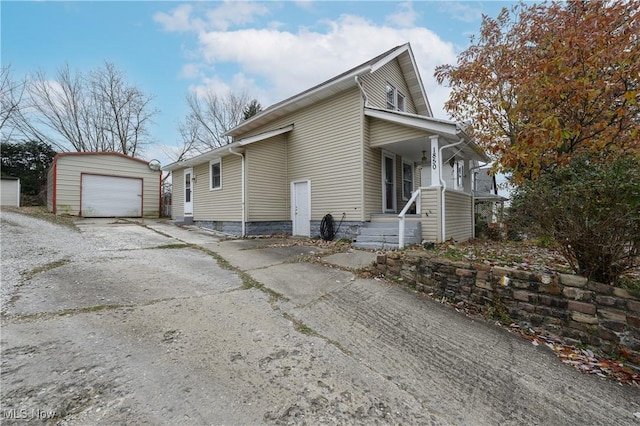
{"points": [[127, 278]]}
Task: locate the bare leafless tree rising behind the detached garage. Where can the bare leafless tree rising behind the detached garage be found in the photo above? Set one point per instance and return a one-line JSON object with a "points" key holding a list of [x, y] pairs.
{"points": [[95, 111]]}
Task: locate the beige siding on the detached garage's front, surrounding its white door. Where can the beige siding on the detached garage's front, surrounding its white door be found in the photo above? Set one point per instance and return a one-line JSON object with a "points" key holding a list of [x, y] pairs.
{"points": [[68, 178]]}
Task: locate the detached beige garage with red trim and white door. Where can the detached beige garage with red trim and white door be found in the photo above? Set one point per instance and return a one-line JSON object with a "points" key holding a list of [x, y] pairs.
{"points": [[103, 184]]}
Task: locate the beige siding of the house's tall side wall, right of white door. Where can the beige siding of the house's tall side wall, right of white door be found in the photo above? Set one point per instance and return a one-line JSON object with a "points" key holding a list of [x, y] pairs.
{"points": [[325, 148]]}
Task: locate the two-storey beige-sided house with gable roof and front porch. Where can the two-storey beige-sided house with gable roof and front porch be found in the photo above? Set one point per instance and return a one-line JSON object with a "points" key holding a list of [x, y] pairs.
{"points": [[361, 146]]}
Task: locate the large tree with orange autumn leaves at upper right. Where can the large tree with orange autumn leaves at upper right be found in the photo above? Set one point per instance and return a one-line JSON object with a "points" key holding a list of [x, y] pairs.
{"points": [[546, 83]]}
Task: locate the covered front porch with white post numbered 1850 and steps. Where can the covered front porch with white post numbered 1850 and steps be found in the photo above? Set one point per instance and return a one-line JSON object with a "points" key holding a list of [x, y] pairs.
{"points": [[427, 168]]}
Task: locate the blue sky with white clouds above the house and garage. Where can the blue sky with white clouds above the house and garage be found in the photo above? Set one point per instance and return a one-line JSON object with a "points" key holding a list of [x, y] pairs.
{"points": [[271, 49]]}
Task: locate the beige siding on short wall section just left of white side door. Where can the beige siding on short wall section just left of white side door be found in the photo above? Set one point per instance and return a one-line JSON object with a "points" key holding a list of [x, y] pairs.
{"points": [[267, 186]]}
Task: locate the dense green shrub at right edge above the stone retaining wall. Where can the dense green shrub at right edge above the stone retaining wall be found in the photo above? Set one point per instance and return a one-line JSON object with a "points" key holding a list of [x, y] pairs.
{"points": [[591, 211]]}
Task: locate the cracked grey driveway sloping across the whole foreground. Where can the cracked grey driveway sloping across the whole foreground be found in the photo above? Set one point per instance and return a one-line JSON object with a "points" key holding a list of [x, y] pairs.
{"points": [[124, 324]]}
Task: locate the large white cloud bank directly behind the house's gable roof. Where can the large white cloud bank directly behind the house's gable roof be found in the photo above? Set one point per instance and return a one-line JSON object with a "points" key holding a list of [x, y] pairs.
{"points": [[271, 63]]}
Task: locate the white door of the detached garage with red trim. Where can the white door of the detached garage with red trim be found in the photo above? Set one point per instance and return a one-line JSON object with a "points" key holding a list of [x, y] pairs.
{"points": [[110, 196]]}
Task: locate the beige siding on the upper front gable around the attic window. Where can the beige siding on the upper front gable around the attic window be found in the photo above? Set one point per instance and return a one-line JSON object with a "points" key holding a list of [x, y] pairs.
{"points": [[375, 86]]}
